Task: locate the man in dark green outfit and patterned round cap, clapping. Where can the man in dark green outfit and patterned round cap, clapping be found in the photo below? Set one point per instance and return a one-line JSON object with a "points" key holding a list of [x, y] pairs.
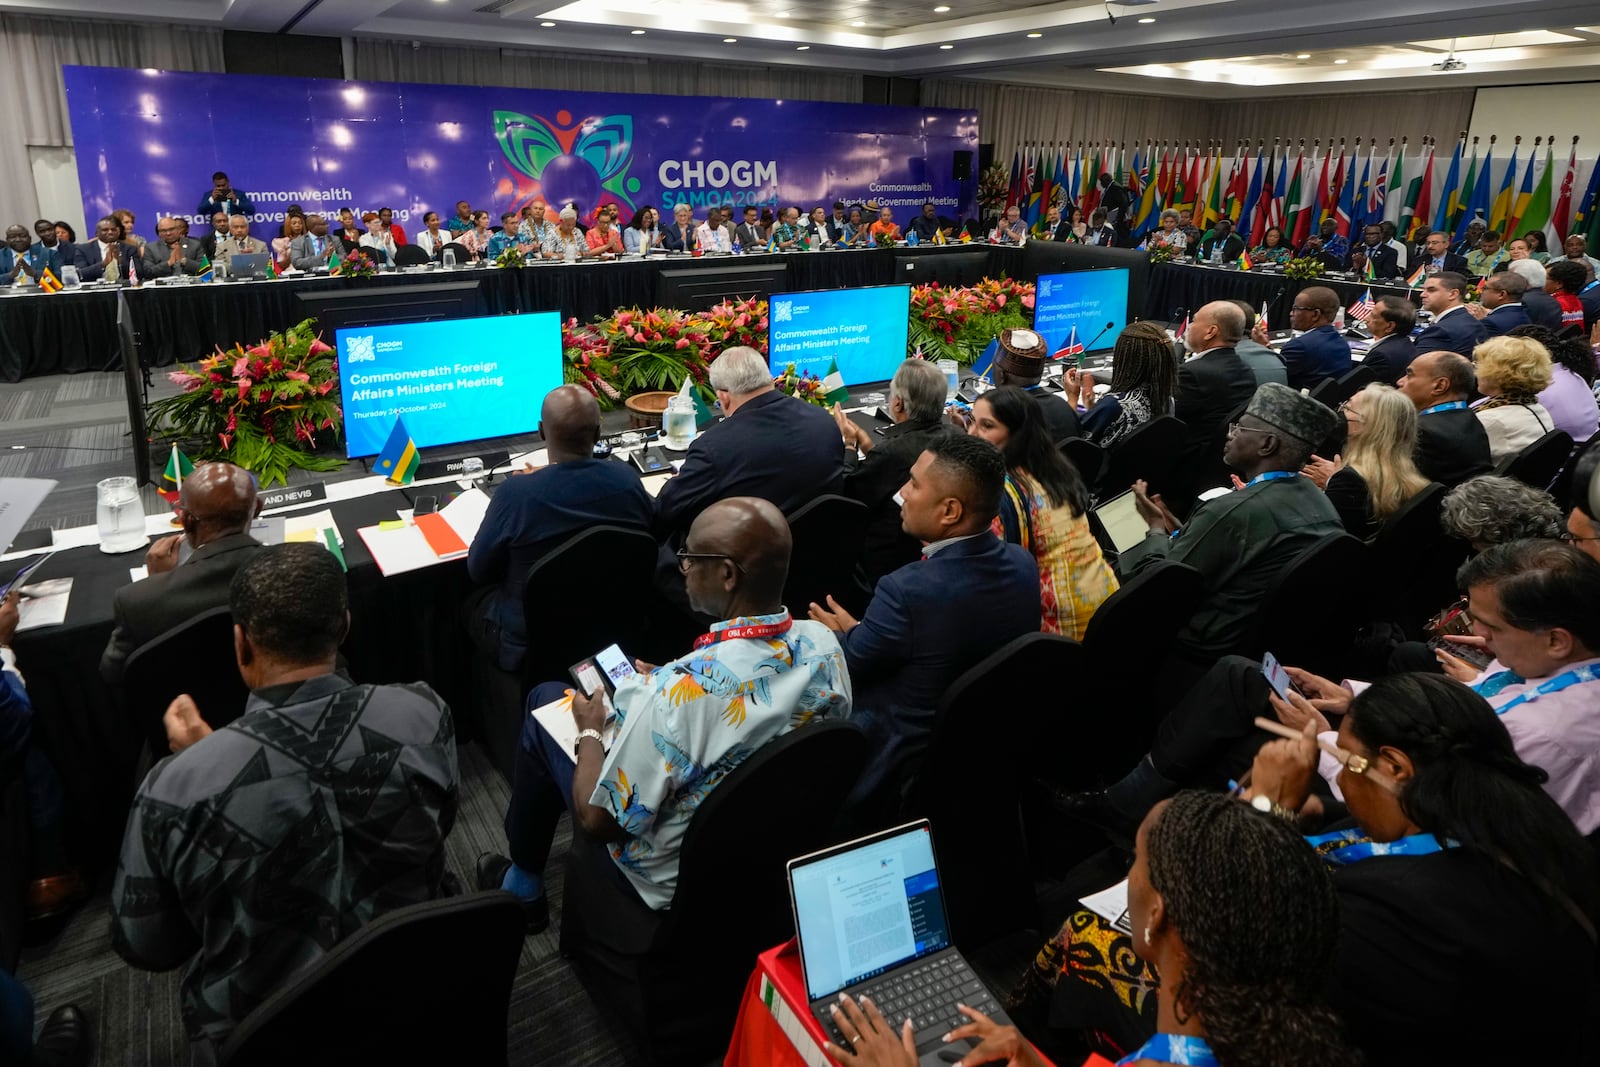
{"points": [[1244, 540]]}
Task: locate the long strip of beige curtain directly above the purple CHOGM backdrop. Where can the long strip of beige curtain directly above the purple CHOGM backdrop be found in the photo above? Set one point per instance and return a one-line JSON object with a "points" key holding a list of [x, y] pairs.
{"points": [[399, 62]]}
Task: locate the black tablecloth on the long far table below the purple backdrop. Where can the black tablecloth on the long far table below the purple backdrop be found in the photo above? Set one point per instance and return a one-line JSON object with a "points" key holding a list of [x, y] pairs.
{"points": [[78, 330]]}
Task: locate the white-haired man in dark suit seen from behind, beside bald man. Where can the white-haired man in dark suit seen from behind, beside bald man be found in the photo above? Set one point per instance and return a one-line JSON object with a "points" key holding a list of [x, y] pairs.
{"points": [[772, 446]]}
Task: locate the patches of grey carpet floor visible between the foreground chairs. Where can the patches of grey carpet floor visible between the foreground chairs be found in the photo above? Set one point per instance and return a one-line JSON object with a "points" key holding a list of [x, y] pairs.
{"points": [[135, 1015]]}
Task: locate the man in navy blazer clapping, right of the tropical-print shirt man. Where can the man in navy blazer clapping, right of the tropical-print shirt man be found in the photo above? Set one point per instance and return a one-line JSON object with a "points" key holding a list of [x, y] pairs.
{"points": [[935, 618]]}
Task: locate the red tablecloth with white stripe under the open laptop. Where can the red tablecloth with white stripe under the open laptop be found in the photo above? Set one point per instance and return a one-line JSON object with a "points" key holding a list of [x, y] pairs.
{"points": [[775, 1026]]}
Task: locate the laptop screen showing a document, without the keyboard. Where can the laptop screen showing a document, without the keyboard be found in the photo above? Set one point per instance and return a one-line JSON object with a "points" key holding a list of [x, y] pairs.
{"points": [[868, 906]]}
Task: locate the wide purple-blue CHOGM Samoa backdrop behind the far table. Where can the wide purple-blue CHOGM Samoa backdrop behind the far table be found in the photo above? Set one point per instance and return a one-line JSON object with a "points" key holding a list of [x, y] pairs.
{"points": [[150, 142]]}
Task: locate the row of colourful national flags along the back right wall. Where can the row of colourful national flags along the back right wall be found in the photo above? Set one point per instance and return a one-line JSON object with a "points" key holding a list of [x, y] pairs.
{"points": [[1295, 191]]}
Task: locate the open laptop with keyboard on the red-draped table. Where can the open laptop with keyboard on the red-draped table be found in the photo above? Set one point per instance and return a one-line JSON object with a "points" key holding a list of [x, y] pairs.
{"points": [[871, 922]]}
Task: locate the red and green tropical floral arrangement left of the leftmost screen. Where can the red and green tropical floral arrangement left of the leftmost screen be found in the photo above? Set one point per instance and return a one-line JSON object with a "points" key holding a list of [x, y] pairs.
{"points": [[262, 407]]}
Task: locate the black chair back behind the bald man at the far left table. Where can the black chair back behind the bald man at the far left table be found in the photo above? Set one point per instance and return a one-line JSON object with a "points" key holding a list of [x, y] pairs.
{"points": [[194, 658]]}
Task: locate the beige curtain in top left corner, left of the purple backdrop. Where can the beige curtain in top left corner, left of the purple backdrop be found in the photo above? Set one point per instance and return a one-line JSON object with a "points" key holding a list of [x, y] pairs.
{"points": [[33, 52]]}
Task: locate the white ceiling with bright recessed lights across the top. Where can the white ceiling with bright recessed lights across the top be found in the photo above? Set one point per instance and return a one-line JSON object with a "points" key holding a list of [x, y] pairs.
{"points": [[1236, 49]]}
